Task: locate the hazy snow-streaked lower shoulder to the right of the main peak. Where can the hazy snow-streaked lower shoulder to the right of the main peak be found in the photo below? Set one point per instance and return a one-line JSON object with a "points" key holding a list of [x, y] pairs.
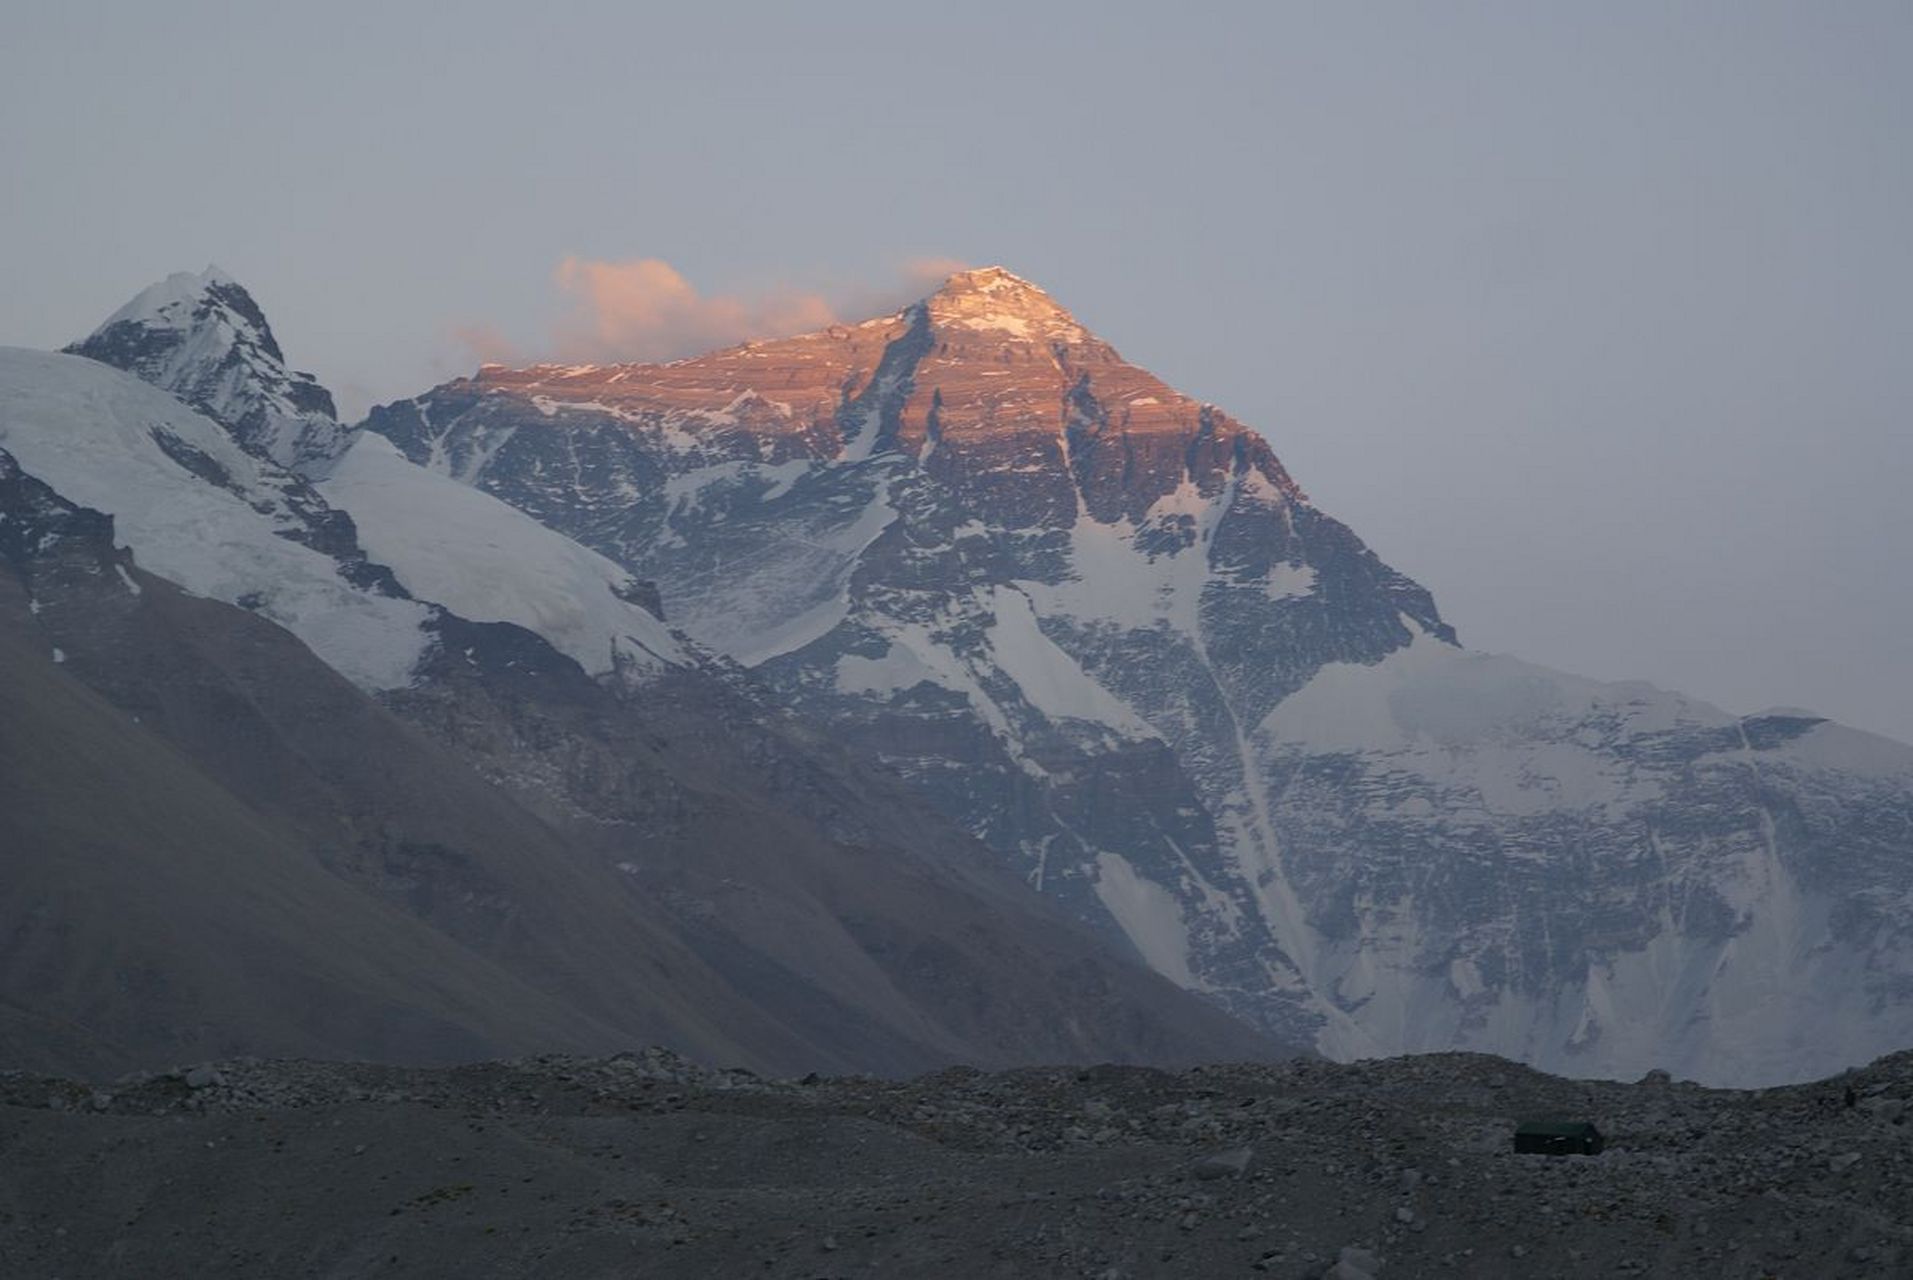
{"points": [[1522, 862]]}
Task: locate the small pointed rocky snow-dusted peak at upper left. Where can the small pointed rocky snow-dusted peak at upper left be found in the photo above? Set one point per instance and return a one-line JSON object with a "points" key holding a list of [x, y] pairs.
{"points": [[208, 342]]}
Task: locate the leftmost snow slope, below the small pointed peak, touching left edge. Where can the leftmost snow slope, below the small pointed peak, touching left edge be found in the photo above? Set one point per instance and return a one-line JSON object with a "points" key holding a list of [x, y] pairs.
{"points": [[200, 510]]}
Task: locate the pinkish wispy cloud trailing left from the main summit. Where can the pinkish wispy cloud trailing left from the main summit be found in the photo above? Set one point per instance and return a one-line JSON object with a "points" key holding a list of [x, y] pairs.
{"points": [[646, 309]]}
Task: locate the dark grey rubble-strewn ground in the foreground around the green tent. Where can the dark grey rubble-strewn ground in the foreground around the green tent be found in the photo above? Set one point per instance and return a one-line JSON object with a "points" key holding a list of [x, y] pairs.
{"points": [[648, 1166]]}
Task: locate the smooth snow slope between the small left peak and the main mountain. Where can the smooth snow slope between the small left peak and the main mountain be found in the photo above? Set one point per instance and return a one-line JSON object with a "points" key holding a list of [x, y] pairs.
{"points": [[493, 563]]}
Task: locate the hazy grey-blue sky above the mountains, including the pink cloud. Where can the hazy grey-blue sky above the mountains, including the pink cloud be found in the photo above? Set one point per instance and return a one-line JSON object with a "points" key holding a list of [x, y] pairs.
{"points": [[1596, 319]]}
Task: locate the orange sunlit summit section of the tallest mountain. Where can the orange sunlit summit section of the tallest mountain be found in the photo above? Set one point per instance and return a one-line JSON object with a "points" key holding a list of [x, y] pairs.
{"points": [[994, 380]]}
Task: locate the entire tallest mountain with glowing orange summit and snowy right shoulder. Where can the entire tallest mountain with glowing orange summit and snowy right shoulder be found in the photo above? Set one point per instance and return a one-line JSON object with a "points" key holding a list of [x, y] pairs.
{"points": [[1097, 625]]}
